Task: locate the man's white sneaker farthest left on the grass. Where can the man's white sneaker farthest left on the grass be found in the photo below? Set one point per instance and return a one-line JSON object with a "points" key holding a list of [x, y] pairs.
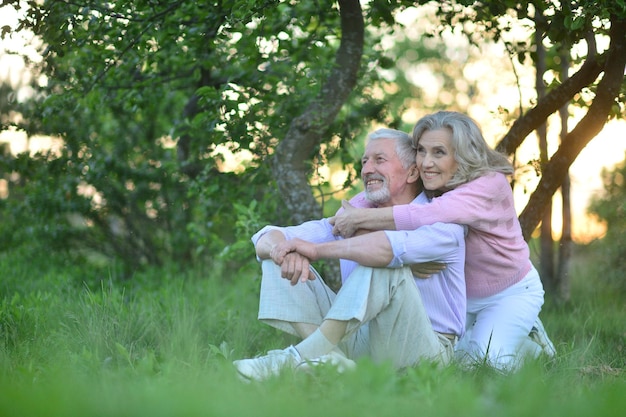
{"points": [[269, 365]]}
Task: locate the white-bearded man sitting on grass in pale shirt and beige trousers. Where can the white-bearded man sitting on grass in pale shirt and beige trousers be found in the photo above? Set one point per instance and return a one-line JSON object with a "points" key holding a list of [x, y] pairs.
{"points": [[381, 310]]}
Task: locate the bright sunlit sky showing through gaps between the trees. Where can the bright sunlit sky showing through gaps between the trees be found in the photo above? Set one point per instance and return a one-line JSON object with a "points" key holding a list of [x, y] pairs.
{"points": [[604, 151]]}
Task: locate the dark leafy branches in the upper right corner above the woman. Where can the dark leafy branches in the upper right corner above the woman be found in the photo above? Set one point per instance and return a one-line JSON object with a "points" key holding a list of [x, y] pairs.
{"points": [[560, 26]]}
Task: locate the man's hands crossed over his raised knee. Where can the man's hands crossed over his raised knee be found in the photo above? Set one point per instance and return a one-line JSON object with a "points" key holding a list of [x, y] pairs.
{"points": [[292, 256]]}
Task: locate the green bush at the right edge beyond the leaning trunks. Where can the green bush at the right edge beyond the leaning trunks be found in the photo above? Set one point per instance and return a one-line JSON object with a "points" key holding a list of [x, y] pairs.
{"points": [[611, 209]]}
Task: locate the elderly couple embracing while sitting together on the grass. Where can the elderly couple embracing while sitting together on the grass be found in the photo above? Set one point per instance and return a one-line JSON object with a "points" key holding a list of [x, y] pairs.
{"points": [[433, 263]]}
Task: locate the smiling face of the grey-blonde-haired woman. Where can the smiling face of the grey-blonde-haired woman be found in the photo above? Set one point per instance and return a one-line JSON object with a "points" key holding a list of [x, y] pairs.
{"points": [[435, 158]]}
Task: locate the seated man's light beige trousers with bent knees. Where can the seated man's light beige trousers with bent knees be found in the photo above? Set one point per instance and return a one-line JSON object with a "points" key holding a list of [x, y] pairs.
{"points": [[383, 307]]}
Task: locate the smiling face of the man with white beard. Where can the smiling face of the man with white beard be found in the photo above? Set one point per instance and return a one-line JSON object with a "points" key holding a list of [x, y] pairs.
{"points": [[384, 177]]}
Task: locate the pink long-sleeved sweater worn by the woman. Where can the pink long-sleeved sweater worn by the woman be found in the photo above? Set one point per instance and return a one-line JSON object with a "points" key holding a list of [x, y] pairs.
{"points": [[496, 254]]}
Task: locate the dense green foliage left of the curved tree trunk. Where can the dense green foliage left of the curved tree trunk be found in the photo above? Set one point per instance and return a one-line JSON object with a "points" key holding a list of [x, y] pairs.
{"points": [[148, 98]]}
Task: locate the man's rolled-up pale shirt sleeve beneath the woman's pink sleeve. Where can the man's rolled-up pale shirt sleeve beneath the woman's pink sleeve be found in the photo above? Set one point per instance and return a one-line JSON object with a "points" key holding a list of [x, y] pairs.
{"points": [[437, 242]]}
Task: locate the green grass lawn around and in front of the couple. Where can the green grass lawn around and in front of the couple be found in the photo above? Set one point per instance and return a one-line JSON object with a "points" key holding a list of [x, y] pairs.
{"points": [[76, 340]]}
